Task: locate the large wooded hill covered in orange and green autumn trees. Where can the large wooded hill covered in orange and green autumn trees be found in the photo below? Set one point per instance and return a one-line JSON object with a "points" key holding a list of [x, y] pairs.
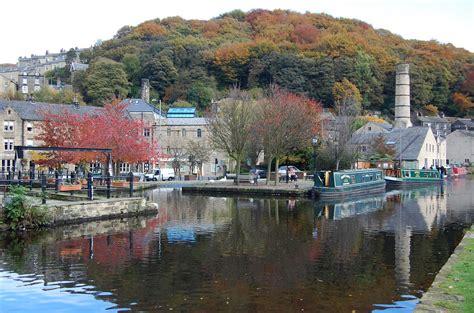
{"points": [[195, 60]]}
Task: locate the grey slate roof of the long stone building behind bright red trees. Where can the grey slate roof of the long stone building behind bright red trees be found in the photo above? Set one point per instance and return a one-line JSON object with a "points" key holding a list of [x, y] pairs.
{"points": [[33, 111]]}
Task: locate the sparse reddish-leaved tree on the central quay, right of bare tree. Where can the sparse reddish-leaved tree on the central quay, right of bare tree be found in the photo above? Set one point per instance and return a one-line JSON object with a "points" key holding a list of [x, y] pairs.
{"points": [[286, 121]]}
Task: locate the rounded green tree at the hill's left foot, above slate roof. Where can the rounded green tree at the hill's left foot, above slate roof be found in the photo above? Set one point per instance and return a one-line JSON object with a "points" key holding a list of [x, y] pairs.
{"points": [[106, 80]]}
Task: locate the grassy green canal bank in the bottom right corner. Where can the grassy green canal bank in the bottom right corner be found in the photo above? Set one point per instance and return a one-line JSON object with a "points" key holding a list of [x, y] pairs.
{"points": [[453, 287]]}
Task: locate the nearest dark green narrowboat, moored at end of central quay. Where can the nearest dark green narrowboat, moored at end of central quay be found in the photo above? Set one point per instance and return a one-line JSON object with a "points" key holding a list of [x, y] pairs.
{"points": [[328, 184]]}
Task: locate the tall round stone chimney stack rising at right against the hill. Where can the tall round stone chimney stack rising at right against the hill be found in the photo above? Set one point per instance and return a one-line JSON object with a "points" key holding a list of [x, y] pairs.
{"points": [[402, 97]]}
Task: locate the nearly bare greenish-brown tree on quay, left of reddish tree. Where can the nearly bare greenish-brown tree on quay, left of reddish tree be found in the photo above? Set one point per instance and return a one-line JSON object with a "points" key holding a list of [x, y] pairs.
{"points": [[230, 127]]}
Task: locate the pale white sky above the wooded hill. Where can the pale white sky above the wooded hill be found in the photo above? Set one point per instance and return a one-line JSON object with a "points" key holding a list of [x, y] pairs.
{"points": [[32, 26]]}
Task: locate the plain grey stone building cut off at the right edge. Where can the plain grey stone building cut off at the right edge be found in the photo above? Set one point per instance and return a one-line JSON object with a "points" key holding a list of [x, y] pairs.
{"points": [[460, 145]]}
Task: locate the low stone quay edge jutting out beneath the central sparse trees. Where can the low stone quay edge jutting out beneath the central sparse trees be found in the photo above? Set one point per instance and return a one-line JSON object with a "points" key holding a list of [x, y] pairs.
{"points": [[292, 189]]}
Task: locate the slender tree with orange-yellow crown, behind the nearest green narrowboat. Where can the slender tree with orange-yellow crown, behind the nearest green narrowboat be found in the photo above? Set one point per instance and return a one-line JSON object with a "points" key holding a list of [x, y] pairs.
{"points": [[347, 106]]}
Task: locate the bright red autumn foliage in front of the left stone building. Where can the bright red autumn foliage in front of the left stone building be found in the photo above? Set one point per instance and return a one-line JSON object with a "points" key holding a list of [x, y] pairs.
{"points": [[107, 127]]}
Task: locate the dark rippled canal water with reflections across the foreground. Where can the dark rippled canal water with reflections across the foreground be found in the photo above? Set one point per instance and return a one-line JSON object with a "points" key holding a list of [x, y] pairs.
{"points": [[241, 254]]}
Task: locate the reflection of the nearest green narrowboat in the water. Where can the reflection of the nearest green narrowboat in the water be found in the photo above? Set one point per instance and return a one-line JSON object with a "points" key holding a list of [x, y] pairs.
{"points": [[337, 209]]}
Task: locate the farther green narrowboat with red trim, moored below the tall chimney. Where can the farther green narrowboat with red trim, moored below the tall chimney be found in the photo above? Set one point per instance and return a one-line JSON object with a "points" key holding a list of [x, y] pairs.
{"points": [[410, 177]]}
